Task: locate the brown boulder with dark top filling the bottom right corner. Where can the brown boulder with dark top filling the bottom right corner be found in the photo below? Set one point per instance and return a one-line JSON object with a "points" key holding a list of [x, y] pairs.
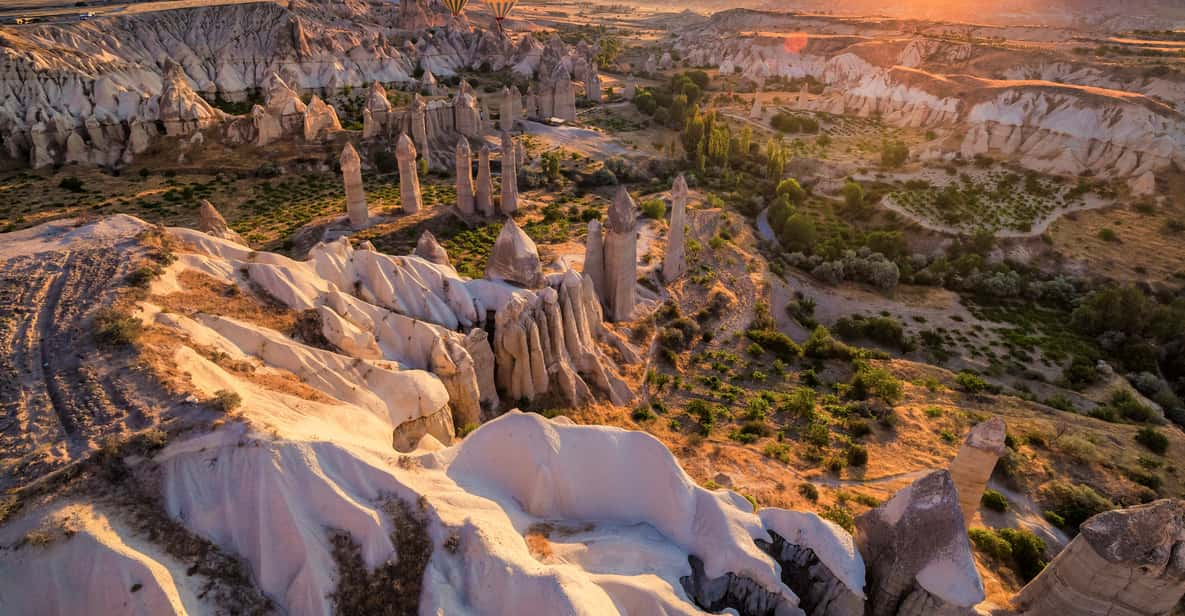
{"points": [[1129, 562]]}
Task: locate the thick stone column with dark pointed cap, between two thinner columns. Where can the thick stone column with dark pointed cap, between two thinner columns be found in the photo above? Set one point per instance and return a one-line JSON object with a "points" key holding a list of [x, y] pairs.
{"points": [[622, 258]]}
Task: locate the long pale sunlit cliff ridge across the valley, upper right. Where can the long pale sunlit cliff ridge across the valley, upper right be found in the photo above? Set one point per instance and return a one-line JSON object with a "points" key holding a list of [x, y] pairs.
{"points": [[1051, 126]]}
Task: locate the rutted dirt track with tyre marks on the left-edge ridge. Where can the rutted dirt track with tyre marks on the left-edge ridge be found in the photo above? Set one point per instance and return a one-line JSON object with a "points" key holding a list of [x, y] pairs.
{"points": [[60, 394]]}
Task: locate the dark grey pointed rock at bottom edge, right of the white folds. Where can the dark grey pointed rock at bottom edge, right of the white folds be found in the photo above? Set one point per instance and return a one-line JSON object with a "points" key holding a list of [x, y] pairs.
{"points": [[917, 553]]}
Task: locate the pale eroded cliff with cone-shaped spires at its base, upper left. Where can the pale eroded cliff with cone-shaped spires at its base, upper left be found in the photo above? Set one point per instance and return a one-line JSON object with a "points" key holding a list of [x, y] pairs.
{"points": [[133, 72]]}
